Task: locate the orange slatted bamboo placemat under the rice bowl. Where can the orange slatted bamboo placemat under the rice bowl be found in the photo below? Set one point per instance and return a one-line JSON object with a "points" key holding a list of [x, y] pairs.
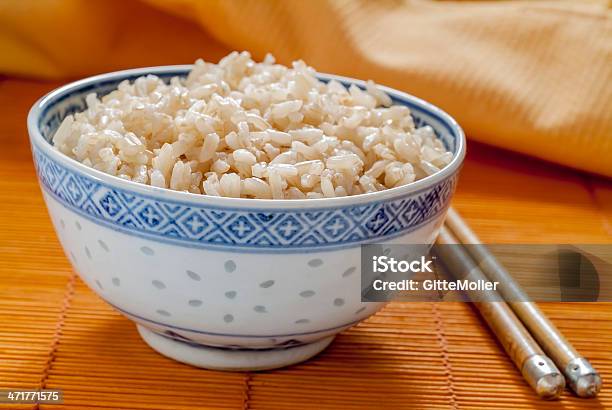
{"points": [[55, 333]]}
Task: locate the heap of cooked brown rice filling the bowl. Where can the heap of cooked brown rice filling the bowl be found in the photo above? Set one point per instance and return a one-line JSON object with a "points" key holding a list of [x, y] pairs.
{"points": [[252, 130]]}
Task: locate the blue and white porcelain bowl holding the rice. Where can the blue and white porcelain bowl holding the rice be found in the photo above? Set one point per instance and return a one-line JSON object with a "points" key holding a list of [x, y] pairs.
{"points": [[229, 283]]}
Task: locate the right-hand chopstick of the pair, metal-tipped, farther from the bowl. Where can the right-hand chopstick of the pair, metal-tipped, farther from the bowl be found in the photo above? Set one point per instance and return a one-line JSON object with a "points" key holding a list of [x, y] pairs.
{"points": [[582, 377]]}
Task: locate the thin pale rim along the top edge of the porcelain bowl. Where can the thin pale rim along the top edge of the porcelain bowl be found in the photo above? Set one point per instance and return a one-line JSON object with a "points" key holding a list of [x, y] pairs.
{"points": [[166, 194]]}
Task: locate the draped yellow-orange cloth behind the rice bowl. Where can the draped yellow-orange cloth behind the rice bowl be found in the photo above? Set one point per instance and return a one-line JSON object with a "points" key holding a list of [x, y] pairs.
{"points": [[531, 76]]}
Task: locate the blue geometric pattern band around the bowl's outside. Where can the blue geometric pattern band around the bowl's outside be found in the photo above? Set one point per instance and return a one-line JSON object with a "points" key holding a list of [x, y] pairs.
{"points": [[207, 226]]}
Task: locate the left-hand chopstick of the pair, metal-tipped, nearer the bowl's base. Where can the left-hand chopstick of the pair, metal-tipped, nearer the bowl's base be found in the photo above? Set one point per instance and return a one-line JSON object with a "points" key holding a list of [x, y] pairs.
{"points": [[537, 369]]}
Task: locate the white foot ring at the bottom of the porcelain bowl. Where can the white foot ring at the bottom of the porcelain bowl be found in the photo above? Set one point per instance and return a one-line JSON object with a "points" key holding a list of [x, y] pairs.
{"points": [[229, 359]]}
